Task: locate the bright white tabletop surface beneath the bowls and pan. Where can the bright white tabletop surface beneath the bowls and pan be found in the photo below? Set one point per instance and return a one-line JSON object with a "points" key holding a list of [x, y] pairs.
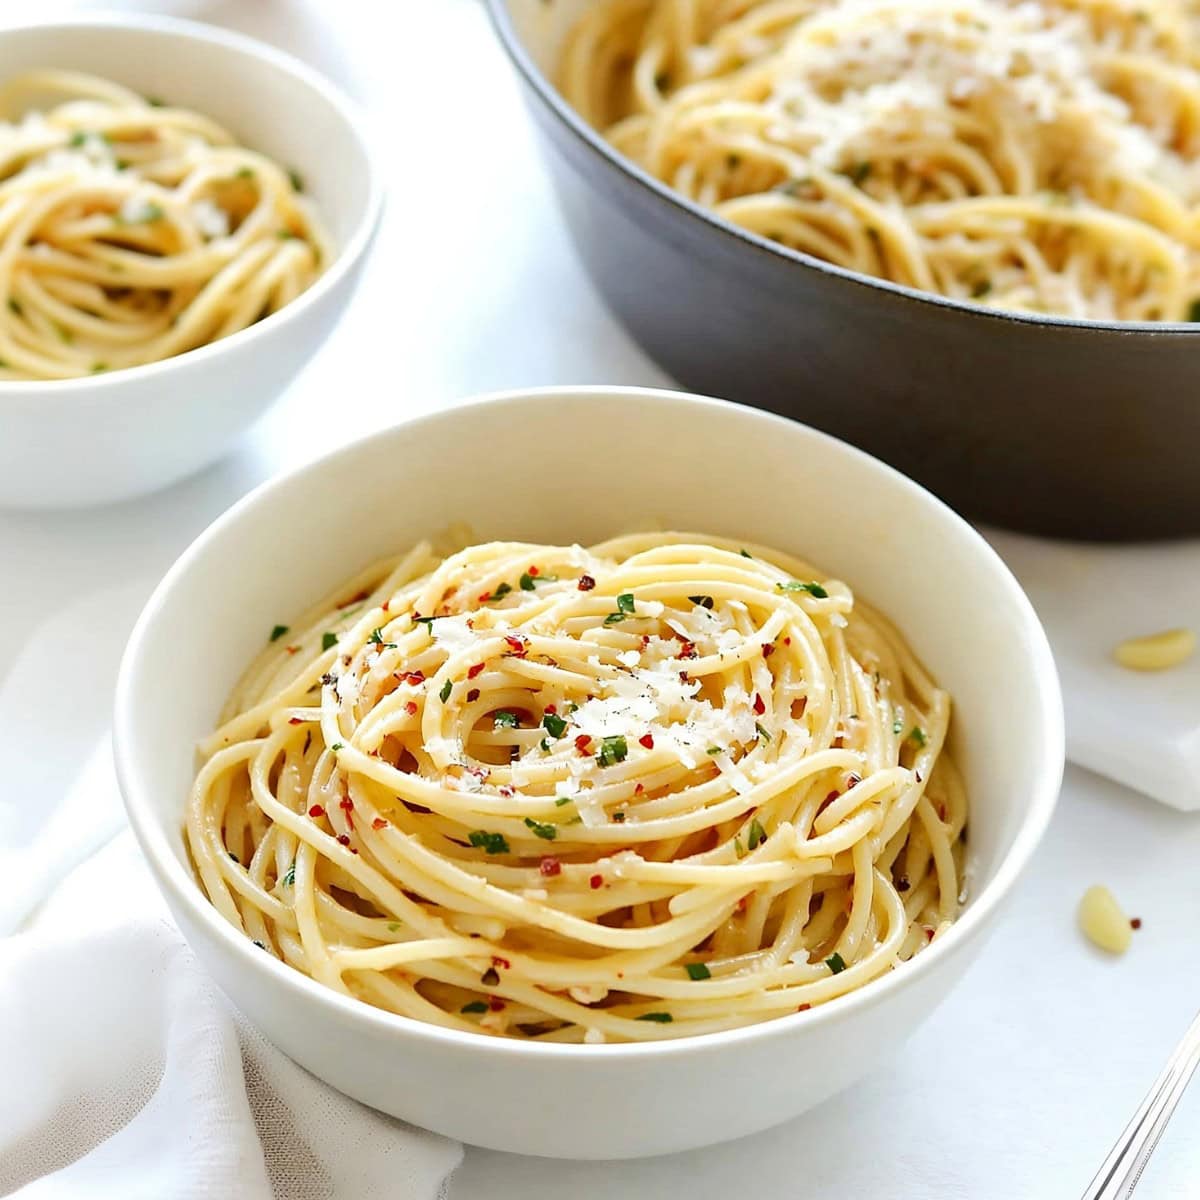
{"points": [[1021, 1082]]}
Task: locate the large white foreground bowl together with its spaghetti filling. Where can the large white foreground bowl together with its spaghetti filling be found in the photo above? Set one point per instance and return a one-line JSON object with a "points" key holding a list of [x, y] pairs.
{"points": [[590, 853]]}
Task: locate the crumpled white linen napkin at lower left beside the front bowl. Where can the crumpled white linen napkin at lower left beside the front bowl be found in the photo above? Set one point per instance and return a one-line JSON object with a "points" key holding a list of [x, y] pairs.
{"points": [[130, 1077]]}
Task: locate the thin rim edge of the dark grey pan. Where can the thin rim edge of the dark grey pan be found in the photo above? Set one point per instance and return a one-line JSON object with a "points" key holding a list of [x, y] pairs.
{"points": [[545, 91]]}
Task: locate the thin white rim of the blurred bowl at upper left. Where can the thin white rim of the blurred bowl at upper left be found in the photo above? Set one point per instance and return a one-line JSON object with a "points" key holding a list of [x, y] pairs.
{"points": [[347, 254]]}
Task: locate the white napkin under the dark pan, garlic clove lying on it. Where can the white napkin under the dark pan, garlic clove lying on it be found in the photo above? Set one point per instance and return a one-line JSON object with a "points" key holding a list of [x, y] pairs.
{"points": [[1139, 729]]}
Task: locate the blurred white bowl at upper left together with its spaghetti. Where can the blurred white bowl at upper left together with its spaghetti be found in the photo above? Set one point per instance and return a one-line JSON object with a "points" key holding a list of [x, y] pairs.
{"points": [[187, 215]]}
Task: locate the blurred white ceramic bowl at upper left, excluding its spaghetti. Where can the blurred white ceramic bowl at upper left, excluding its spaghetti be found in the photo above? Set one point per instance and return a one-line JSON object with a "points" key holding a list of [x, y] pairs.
{"points": [[112, 436]]}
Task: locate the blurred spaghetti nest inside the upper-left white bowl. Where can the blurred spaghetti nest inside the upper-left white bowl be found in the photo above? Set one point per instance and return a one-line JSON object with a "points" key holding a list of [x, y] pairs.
{"points": [[131, 232]]}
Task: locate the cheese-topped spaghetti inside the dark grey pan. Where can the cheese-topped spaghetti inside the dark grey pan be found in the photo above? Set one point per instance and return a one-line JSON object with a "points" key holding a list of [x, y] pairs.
{"points": [[1031, 155]]}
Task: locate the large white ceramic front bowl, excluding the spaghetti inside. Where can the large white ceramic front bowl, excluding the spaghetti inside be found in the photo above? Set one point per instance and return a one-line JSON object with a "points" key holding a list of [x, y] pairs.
{"points": [[583, 464]]}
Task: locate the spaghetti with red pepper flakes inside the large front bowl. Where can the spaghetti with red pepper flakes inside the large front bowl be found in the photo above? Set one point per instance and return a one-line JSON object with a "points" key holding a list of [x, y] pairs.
{"points": [[653, 789]]}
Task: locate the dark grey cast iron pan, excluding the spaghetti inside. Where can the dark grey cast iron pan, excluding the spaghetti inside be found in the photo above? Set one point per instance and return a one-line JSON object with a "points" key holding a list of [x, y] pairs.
{"points": [[1055, 427]]}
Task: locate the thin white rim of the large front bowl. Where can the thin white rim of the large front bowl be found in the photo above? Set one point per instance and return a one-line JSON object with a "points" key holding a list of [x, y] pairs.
{"points": [[183, 891]]}
